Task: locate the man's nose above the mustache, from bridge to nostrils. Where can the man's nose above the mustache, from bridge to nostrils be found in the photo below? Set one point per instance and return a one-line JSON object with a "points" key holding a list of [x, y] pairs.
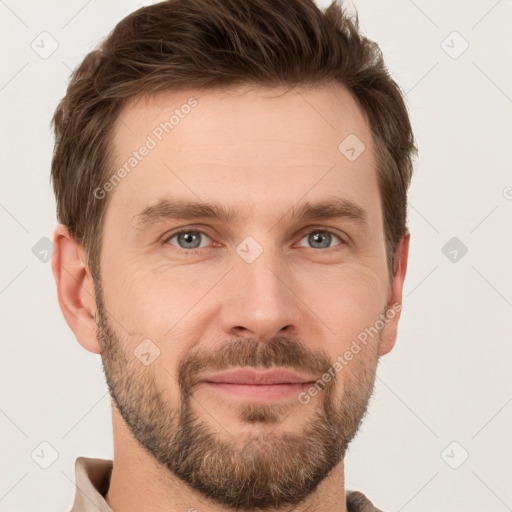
{"points": [[259, 299]]}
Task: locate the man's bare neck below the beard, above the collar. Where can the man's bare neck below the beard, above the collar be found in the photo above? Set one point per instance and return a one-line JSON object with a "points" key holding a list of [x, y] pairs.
{"points": [[140, 482]]}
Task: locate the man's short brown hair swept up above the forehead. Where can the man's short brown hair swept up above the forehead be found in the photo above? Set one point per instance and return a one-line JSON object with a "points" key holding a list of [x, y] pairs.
{"points": [[180, 44]]}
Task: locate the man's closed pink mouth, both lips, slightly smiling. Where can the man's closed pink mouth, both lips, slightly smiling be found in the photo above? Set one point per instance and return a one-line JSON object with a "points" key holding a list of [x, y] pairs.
{"points": [[277, 384]]}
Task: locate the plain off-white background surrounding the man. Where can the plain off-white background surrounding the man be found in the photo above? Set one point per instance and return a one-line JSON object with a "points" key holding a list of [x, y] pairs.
{"points": [[448, 378]]}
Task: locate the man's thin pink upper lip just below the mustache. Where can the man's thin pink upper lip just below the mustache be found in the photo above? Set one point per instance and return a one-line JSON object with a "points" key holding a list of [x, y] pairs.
{"points": [[254, 378]]}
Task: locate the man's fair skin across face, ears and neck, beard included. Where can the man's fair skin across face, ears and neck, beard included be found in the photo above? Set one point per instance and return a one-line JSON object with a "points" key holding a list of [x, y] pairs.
{"points": [[261, 152]]}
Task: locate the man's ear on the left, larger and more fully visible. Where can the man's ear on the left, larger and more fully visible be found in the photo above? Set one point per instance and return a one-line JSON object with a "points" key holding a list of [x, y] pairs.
{"points": [[75, 288]]}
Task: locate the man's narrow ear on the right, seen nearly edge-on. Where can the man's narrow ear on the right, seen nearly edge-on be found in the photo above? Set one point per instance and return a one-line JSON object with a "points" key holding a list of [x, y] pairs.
{"points": [[390, 330]]}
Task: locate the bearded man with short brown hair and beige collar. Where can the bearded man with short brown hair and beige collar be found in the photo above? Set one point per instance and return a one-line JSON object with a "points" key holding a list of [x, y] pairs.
{"points": [[231, 182]]}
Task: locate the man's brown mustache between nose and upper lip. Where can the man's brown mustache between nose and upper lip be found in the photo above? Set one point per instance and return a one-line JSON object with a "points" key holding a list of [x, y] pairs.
{"points": [[244, 352]]}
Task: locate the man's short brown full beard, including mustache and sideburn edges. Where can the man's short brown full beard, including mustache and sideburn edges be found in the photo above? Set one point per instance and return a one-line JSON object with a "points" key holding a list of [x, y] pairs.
{"points": [[269, 470]]}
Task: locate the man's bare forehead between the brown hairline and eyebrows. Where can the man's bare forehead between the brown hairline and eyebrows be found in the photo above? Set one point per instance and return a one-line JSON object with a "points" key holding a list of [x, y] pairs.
{"points": [[253, 148]]}
